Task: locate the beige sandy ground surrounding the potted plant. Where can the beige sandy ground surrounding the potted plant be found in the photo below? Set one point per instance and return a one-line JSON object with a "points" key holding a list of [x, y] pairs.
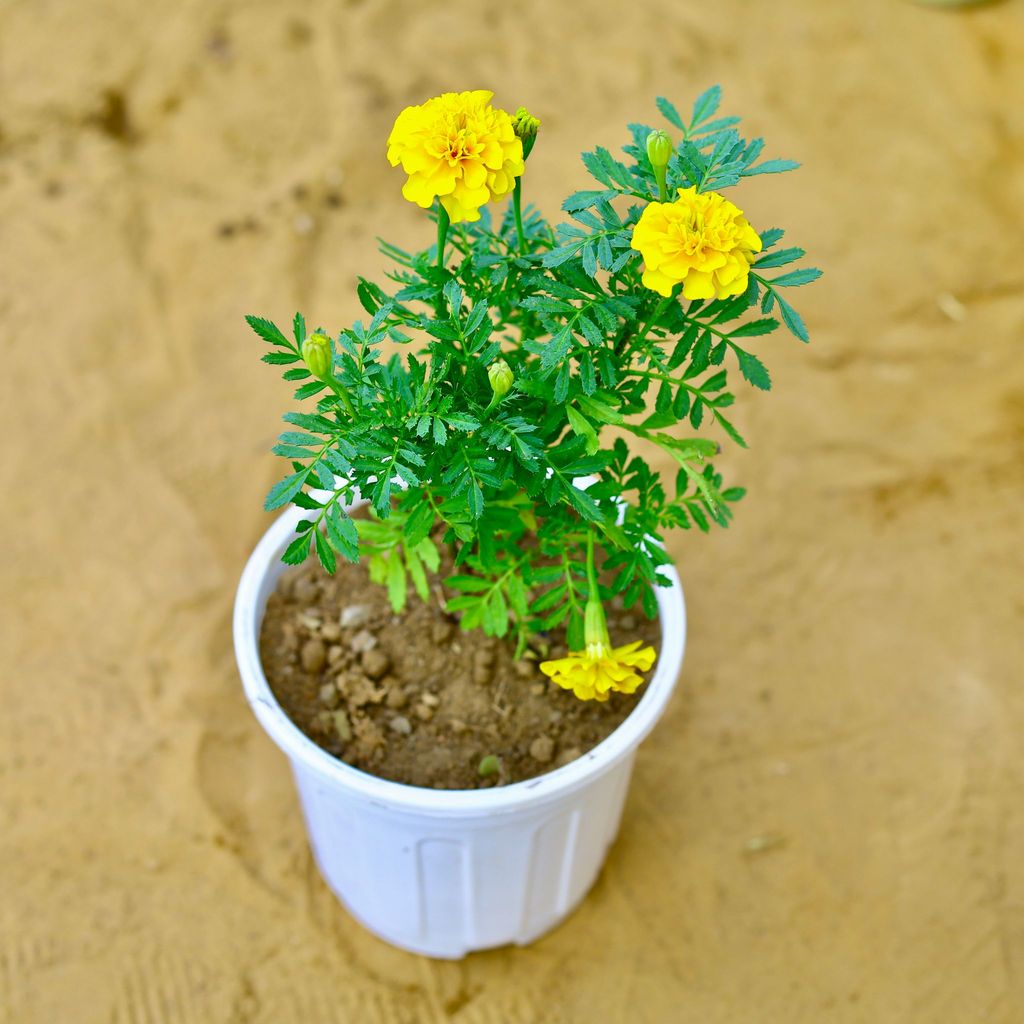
{"points": [[829, 825]]}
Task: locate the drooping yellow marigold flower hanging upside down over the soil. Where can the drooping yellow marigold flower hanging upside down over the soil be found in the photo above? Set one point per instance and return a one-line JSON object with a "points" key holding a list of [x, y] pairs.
{"points": [[593, 673]]}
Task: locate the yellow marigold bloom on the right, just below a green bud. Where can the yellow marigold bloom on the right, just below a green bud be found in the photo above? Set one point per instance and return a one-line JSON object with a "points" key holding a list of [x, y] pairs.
{"points": [[702, 241]]}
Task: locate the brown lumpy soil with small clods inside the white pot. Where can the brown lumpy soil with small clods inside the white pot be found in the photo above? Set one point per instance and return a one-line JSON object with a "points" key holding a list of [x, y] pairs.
{"points": [[413, 699]]}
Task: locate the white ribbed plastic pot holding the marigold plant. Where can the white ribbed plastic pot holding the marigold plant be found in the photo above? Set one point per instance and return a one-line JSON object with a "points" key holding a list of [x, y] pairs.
{"points": [[445, 873]]}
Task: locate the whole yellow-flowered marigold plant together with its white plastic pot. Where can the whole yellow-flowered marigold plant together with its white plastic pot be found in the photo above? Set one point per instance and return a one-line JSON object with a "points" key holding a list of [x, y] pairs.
{"points": [[466, 622]]}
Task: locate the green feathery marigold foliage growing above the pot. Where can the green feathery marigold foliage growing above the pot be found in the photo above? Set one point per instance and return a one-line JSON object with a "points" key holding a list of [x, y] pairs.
{"points": [[409, 419]]}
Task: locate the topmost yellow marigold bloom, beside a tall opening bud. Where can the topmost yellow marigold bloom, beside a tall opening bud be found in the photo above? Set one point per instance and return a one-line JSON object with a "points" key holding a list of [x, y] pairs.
{"points": [[459, 149]]}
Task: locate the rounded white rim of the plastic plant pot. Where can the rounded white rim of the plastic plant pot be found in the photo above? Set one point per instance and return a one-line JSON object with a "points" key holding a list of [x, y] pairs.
{"points": [[249, 609]]}
